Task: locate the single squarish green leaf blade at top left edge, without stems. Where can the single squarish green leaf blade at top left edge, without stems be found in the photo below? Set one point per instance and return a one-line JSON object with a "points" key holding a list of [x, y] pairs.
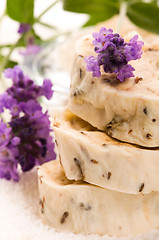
{"points": [[21, 10]]}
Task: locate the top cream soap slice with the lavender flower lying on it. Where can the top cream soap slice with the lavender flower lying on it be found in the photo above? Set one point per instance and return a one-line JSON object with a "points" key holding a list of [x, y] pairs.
{"points": [[127, 111]]}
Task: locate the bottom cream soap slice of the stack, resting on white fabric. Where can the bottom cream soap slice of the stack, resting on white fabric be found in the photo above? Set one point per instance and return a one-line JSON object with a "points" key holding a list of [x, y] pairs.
{"points": [[84, 208]]}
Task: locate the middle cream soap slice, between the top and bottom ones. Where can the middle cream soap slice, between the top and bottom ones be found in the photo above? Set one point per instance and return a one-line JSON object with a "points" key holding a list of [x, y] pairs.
{"points": [[90, 155]]}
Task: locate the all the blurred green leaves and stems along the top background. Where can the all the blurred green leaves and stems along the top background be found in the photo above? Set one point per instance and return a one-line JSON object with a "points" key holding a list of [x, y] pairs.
{"points": [[143, 14]]}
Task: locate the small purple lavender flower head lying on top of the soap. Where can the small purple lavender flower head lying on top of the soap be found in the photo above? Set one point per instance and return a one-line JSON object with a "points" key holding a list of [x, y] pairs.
{"points": [[113, 54]]}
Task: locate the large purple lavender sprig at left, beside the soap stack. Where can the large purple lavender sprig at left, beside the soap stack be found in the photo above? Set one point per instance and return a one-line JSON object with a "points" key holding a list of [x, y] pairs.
{"points": [[25, 140]]}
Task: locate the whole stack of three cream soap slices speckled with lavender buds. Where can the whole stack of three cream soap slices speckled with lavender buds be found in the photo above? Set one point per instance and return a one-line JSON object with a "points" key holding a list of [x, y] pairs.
{"points": [[102, 185]]}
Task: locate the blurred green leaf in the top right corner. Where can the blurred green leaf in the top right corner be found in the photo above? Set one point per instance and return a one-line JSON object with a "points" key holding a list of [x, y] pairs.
{"points": [[145, 15]]}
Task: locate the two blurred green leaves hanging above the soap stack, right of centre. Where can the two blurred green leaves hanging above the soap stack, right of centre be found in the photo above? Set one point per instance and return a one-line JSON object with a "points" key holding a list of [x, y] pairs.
{"points": [[143, 14]]}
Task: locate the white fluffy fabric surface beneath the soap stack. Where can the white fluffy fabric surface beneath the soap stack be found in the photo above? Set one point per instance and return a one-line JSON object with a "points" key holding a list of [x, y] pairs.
{"points": [[20, 218]]}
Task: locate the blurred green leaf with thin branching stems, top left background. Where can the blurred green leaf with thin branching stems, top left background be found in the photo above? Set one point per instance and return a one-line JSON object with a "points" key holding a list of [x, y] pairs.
{"points": [[23, 12]]}
